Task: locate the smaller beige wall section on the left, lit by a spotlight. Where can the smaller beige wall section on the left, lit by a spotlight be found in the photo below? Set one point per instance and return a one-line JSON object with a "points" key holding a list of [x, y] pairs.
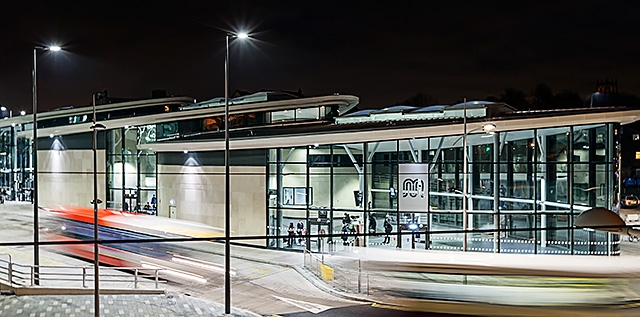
{"points": [[66, 177]]}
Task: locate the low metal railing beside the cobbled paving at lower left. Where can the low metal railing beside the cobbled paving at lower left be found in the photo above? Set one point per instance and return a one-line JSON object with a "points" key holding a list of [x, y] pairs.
{"points": [[20, 275]]}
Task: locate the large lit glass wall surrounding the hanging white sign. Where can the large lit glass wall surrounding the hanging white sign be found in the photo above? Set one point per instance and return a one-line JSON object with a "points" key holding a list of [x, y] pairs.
{"points": [[516, 185]]}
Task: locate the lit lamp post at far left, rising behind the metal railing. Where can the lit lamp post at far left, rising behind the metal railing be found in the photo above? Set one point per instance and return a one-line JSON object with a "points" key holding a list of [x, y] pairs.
{"points": [[34, 192]]}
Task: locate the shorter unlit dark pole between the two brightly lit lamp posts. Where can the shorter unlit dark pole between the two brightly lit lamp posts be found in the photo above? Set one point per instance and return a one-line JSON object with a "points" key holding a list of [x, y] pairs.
{"points": [[96, 254]]}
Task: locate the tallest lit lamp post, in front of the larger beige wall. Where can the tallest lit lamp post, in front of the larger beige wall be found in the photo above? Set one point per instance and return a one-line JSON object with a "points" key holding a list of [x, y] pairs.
{"points": [[227, 205]]}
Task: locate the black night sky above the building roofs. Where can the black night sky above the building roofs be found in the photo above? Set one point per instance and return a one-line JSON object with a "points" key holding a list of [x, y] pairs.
{"points": [[382, 51]]}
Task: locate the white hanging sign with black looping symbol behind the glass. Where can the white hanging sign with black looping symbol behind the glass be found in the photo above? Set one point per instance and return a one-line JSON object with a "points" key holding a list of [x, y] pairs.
{"points": [[414, 187]]}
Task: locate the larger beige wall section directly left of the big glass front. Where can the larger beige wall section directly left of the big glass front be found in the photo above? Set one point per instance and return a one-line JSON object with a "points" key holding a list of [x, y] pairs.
{"points": [[198, 195]]}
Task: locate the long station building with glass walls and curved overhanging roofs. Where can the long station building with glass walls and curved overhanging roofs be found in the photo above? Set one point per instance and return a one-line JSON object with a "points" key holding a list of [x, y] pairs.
{"points": [[476, 176]]}
